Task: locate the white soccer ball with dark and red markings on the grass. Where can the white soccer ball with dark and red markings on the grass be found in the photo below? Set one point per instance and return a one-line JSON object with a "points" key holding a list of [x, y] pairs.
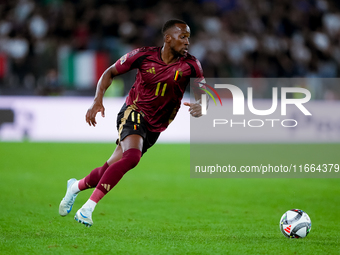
{"points": [[295, 223]]}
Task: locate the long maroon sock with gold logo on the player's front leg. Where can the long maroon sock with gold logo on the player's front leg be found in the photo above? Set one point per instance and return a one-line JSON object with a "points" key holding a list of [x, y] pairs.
{"points": [[115, 172]]}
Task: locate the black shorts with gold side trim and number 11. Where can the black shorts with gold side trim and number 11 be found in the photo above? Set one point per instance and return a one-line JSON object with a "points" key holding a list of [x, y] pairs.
{"points": [[130, 122]]}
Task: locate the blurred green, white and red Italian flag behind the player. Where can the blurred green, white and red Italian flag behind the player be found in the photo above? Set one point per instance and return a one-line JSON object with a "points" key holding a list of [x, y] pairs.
{"points": [[81, 69]]}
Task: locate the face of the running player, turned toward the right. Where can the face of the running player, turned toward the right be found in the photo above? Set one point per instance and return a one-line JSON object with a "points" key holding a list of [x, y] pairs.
{"points": [[180, 36]]}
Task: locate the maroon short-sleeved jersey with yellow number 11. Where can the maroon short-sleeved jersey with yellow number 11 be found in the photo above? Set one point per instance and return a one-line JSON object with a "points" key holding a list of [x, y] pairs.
{"points": [[158, 89]]}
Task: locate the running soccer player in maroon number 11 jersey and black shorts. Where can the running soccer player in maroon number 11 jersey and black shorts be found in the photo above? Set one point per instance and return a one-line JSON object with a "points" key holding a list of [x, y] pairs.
{"points": [[152, 103]]}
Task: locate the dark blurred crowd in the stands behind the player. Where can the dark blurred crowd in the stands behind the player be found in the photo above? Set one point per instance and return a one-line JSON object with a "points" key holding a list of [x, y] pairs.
{"points": [[231, 38]]}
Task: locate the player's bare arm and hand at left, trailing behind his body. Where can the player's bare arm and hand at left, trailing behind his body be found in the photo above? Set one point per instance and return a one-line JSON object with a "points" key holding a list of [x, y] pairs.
{"points": [[102, 85]]}
